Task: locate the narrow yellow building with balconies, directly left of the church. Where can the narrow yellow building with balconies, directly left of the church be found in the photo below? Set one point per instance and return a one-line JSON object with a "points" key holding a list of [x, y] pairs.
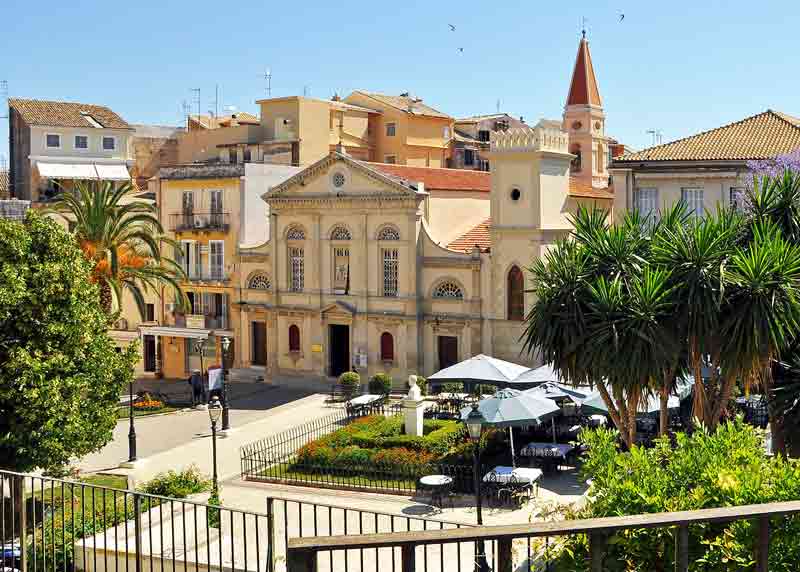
{"points": [[197, 204]]}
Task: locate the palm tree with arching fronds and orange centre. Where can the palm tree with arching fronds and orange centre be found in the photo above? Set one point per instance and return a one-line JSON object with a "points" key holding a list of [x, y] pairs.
{"points": [[122, 238]]}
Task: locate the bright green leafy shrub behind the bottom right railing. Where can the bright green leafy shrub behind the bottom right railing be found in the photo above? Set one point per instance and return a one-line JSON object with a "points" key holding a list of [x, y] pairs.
{"points": [[705, 470]]}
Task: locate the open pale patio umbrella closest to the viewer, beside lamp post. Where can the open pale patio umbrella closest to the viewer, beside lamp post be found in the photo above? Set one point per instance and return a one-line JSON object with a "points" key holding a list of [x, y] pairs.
{"points": [[510, 408]]}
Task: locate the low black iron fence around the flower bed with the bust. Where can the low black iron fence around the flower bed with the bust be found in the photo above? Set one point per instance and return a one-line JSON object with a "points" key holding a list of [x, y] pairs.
{"points": [[275, 459]]}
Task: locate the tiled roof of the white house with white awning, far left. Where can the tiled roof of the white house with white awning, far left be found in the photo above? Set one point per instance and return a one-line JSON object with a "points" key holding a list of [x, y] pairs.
{"points": [[66, 114]]}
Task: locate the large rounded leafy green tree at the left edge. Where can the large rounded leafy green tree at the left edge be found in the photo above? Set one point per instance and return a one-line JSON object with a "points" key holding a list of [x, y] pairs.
{"points": [[60, 373]]}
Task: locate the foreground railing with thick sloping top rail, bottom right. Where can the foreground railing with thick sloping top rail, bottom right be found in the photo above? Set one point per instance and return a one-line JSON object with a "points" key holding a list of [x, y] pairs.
{"points": [[306, 554]]}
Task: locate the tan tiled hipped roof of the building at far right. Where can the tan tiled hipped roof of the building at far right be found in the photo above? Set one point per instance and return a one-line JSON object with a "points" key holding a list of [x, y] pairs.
{"points": [[761, 136]]}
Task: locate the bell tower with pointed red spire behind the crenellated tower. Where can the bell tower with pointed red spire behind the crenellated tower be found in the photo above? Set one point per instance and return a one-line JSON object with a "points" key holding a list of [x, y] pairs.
{"points": [[584, 120]]}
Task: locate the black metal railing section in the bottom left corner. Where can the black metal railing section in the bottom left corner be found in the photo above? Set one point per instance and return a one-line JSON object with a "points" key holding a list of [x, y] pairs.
{"points": [[66, 525]]}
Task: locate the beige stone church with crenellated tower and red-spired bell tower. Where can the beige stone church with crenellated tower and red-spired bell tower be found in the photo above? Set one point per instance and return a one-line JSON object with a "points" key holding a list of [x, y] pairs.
{"points": [[354, 275]]}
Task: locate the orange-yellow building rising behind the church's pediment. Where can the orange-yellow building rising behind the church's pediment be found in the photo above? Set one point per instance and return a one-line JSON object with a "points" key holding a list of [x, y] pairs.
{"points": [[408, 132]]}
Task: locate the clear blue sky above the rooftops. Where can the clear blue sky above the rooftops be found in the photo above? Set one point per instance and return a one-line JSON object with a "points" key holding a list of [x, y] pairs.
{"points": [[678, 66]]}
